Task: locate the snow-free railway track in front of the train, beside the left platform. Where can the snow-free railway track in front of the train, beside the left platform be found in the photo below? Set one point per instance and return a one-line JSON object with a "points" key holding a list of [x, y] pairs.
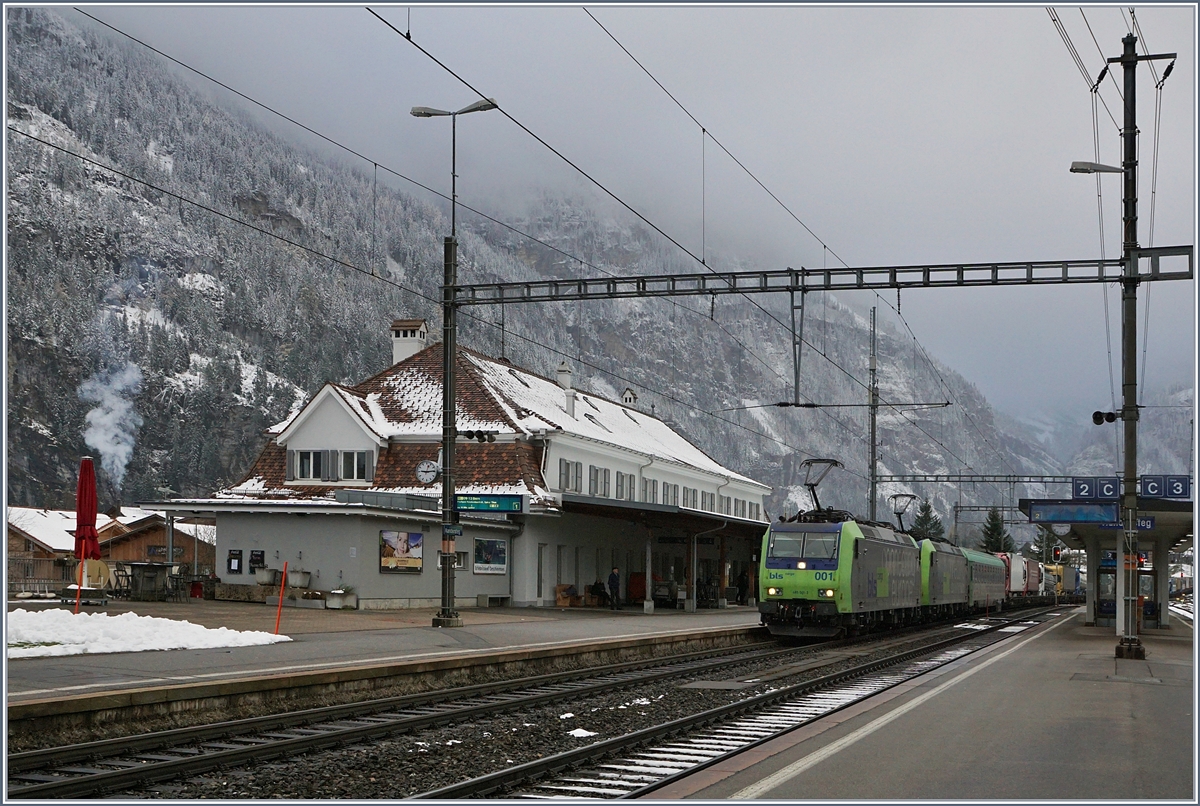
{"points": [[125, 763]]}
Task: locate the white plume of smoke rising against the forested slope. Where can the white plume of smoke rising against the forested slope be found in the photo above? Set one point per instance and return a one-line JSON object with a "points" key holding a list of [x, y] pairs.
{"points": [[113, 424]]}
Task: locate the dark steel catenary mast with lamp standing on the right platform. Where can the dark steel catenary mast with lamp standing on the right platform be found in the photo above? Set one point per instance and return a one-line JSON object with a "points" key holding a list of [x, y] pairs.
{"points": [[1131, 645]]}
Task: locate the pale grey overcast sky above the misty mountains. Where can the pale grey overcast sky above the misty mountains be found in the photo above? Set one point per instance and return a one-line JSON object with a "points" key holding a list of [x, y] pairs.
{"points": [[898, 136]]}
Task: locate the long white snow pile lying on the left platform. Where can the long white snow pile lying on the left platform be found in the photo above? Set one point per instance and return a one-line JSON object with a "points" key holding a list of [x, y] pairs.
{"points": [[45, 634]]}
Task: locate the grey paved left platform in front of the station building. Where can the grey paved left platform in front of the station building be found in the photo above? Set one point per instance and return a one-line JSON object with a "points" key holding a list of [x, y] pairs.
{"points": [[327, 640]]}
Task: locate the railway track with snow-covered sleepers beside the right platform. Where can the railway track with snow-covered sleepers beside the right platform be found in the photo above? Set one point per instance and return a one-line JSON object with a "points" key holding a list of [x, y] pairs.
{"points": [[639, 763]]}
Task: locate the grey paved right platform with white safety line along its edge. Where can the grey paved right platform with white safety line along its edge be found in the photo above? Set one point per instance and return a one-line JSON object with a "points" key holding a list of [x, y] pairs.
{"points": [[1049, 714]]}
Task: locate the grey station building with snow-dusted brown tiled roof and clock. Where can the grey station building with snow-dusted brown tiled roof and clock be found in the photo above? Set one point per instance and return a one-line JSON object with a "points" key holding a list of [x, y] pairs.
{"points": [[592, 485]]}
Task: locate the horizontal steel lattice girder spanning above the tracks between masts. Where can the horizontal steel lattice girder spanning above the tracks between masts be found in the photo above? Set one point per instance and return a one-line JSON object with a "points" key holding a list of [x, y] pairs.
{"points": [[955, 275]]}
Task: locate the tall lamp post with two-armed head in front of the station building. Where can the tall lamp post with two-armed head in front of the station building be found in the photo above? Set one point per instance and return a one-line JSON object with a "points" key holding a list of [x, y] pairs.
{"points": [[448, 617]]}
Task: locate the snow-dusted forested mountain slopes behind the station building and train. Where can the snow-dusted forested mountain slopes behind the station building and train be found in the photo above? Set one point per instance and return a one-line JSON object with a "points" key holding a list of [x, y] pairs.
{"points": [[229, 329]]}
